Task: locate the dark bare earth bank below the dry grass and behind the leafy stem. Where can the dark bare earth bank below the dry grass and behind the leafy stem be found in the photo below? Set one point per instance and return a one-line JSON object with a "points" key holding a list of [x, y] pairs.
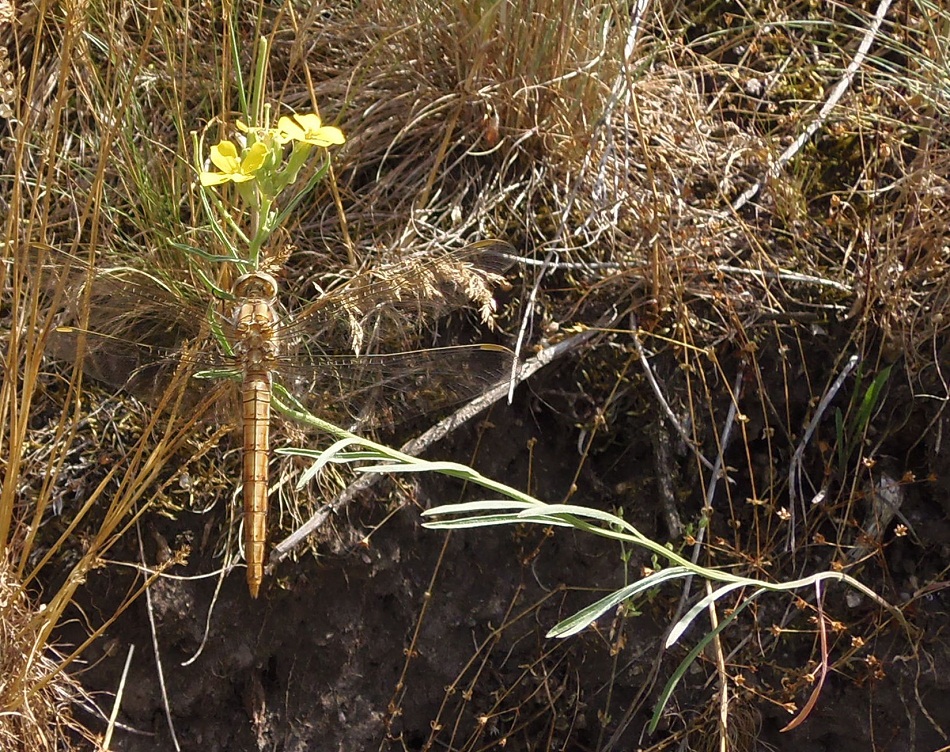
{"points": [[421, 639]]}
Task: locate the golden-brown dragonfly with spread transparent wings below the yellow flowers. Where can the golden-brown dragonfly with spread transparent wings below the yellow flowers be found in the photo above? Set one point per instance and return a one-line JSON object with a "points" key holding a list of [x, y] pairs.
{"points": [[254, 340]]}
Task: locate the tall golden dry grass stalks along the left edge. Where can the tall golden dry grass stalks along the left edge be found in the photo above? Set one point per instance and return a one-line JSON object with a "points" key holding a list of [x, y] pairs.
{"points": [[66, 499]]}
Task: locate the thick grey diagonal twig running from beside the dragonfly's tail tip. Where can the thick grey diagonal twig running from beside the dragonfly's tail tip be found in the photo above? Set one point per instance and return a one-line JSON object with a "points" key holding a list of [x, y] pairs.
{"points": [[422, 442]]}
